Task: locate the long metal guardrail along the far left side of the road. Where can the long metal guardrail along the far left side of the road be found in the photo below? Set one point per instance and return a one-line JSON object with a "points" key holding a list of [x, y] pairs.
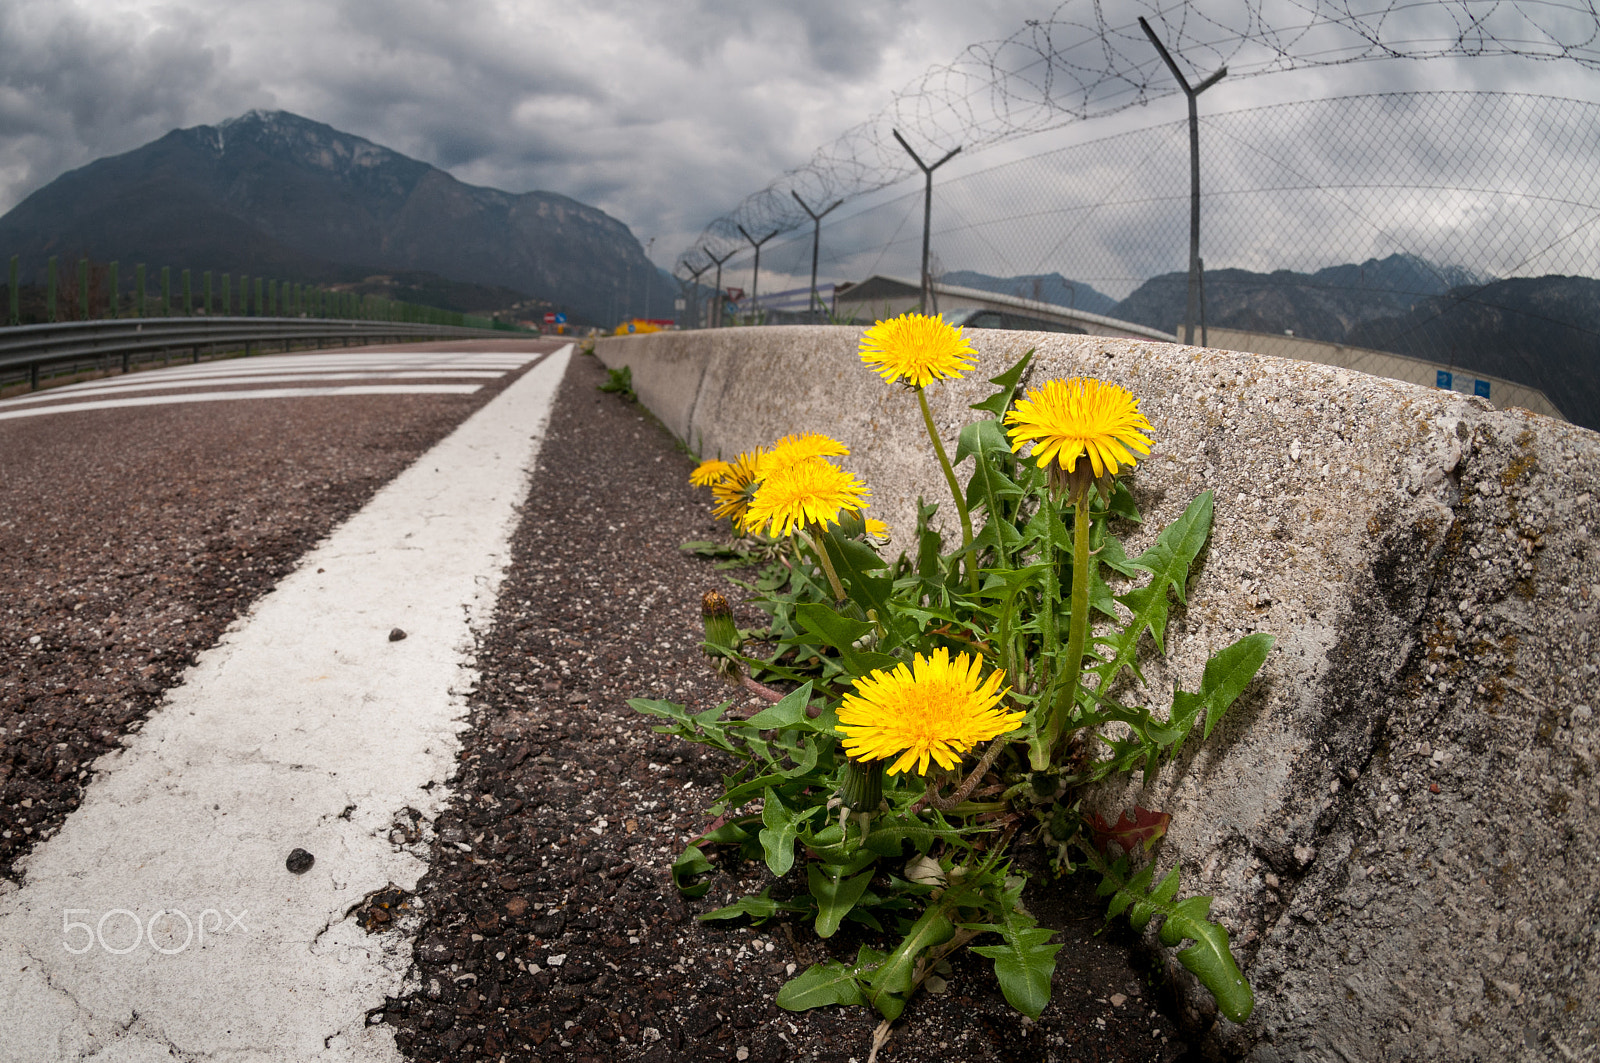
{"points": [[34, 347]]}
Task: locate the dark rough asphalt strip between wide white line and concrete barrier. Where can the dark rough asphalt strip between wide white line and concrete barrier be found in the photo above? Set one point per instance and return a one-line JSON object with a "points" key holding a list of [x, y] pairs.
{"points": [[550, 926]]}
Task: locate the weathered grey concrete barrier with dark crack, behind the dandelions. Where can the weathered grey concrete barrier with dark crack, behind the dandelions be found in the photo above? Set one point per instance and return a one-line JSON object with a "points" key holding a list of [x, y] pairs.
{"points": [[1428, 568]]}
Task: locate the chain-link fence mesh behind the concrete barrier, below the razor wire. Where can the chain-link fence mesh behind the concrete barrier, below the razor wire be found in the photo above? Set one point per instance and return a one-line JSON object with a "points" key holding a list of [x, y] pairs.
{"points": [[1458, 228]]}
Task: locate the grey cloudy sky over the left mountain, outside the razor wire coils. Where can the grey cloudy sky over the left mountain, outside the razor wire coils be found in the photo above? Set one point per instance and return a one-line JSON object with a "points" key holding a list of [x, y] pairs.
{"points": [[665, 114]]}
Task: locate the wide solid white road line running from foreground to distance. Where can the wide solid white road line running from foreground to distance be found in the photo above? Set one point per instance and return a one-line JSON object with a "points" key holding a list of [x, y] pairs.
{"points": [[305, 728]]}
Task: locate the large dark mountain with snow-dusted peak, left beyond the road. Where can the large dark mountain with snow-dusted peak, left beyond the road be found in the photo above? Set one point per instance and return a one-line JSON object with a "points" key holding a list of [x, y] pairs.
{"points": [[281, 196]]}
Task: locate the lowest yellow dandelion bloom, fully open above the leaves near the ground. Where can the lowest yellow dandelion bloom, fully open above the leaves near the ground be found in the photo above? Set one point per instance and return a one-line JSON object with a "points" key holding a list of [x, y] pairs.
{"points": [[934, 708]]}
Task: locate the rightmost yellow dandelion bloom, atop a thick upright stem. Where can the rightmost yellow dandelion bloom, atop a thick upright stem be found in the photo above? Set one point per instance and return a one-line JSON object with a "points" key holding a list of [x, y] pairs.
{"points": [[1078, 417]]}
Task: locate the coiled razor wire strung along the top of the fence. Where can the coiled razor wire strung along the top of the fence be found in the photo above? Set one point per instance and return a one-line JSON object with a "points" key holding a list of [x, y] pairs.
{"points": [[1078, 65]]}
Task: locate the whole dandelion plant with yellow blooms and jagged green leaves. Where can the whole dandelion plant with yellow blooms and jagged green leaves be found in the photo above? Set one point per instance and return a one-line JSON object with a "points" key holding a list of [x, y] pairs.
{"points": [[951, 704]]}
